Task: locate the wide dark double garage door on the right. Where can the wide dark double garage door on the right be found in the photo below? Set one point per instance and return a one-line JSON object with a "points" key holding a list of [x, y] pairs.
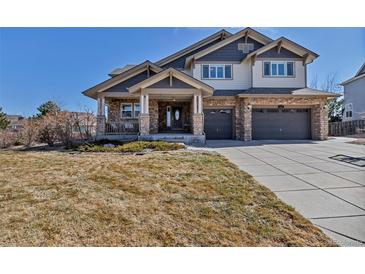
{"points": [[281, 124]]}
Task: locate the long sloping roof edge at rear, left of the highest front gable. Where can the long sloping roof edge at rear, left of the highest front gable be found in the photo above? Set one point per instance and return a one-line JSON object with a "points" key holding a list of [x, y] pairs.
{"points": [[222, 34]]}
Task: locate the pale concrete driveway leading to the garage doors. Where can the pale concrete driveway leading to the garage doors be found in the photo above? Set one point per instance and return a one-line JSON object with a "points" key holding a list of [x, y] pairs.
{"points": [[329, 192]]}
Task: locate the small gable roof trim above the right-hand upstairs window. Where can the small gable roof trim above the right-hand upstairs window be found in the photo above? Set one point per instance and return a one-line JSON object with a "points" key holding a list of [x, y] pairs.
{"points": [[288, 44]]}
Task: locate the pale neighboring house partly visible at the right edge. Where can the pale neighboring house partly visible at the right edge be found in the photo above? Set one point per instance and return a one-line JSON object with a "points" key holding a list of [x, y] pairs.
{"points": [[354, 96]]}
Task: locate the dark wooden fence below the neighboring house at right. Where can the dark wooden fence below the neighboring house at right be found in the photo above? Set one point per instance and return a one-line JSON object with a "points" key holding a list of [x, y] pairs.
{"points": [[346, 128]]}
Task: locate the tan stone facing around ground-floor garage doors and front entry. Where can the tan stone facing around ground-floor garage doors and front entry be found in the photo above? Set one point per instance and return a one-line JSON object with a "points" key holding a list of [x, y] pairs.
{"points": [[155, 121]]}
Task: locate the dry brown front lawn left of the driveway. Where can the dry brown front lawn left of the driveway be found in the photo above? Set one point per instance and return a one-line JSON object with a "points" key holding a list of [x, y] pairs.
{"points": [[158, 199]]}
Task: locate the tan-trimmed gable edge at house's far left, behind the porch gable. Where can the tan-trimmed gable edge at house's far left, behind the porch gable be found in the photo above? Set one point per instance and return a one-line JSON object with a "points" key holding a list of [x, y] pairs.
{"points": [[91, 92]]}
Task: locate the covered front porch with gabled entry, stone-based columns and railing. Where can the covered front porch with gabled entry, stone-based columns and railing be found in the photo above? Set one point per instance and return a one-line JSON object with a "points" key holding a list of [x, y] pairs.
{"points": [[163, 107]]}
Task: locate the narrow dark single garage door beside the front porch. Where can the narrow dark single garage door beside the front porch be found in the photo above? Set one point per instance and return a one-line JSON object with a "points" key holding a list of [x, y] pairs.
{"points": [[218, 123]]}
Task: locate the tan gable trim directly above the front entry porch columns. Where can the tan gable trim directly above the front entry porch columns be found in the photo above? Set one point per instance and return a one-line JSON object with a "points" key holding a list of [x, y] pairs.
{"points": [[171, 72]]}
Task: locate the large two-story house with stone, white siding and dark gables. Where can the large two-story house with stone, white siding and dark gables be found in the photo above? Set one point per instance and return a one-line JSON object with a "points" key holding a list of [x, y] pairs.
{"points": [[240, 86]]}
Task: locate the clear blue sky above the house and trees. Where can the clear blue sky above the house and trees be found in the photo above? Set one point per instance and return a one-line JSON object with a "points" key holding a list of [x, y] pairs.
{"points": [[40, 64]]}
